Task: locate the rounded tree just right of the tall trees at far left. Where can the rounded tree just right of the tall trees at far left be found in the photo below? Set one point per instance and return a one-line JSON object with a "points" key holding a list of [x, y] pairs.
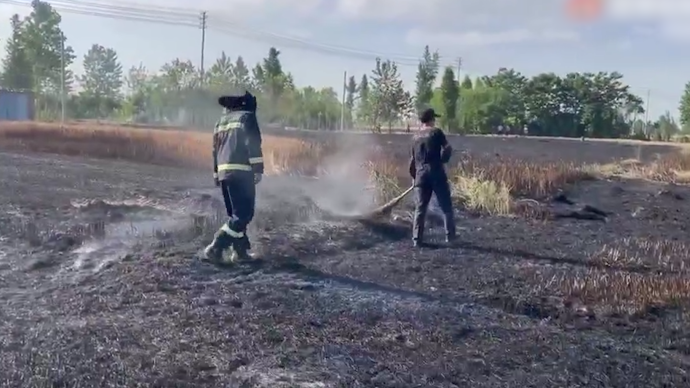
{"points": [[102, 82]]}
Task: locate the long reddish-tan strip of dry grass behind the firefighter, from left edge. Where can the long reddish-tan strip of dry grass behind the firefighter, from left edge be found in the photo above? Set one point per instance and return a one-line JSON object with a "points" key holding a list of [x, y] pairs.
{"points": [[155, 146]]}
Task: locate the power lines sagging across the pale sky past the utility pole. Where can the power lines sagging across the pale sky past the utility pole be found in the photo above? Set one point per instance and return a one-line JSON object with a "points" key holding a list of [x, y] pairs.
{"points": [[190, 18]]}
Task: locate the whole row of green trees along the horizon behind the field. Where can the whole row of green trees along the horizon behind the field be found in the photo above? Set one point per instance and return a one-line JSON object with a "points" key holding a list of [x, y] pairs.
{"points": [[37, 58]]}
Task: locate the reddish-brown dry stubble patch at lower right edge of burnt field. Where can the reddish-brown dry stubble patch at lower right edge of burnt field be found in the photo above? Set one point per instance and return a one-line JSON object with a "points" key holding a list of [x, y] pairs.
{"points": [[629, 277]]}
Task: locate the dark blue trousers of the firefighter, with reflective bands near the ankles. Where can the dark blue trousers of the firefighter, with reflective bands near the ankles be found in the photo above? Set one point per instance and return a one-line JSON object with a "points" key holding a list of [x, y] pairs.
{"points": [[239, 195]]}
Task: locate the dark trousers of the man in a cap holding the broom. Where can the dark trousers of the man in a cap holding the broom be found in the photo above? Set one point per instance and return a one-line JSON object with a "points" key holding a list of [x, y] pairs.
{"points": [[424, 189]]}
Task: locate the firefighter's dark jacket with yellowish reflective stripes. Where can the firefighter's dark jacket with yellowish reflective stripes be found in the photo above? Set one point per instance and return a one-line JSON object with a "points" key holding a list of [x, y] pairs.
{"points": [[237, 145]]}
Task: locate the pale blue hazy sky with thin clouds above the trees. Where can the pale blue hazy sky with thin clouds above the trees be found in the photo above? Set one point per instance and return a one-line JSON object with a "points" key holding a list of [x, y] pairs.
{"points": [[320, 40]]}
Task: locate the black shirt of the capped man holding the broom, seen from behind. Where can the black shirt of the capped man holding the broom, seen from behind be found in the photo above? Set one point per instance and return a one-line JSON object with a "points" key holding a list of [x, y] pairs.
{"points": [[429, 151]]}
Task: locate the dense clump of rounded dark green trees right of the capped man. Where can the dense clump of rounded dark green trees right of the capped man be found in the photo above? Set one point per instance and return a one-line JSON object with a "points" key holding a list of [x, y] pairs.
{"points": [[577, 104]]}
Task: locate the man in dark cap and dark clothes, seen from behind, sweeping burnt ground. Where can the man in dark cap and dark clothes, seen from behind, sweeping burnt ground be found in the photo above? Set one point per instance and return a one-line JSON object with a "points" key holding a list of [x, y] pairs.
{"points": [[429, 154]]}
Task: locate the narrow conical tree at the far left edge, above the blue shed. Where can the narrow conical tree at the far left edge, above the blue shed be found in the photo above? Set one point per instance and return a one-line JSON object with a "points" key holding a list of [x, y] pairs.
{"points": [[16, 69]]}
